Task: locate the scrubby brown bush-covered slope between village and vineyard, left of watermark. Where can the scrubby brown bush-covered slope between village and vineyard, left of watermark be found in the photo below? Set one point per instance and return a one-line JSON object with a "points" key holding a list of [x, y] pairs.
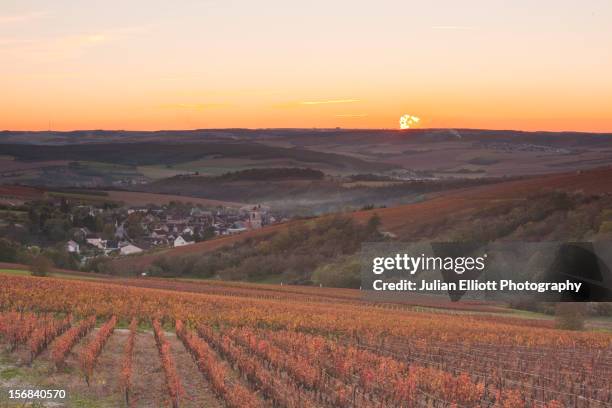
{"points": [[292, 254]]}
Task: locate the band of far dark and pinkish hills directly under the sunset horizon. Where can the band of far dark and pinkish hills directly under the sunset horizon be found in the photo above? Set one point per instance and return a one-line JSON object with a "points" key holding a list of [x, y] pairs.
{"points": [[442, 153]]}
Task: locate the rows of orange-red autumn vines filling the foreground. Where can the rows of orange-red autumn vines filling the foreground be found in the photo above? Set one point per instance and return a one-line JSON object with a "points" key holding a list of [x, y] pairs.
{"points": [[126, 344]]}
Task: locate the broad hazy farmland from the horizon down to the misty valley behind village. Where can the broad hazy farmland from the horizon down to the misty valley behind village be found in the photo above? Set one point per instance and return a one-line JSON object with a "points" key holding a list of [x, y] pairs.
{"points": [[362, 168]]}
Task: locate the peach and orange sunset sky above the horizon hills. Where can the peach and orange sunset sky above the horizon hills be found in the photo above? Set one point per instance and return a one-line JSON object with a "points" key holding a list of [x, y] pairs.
{"points": [[153, 64]]}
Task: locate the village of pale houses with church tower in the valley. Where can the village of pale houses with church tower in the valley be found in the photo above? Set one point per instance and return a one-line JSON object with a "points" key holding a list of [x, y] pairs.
{"points": [[132, 230]]}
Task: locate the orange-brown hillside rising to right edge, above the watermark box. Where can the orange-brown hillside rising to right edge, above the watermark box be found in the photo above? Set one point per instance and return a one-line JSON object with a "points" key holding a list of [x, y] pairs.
{"points": [[469, 207]]}
